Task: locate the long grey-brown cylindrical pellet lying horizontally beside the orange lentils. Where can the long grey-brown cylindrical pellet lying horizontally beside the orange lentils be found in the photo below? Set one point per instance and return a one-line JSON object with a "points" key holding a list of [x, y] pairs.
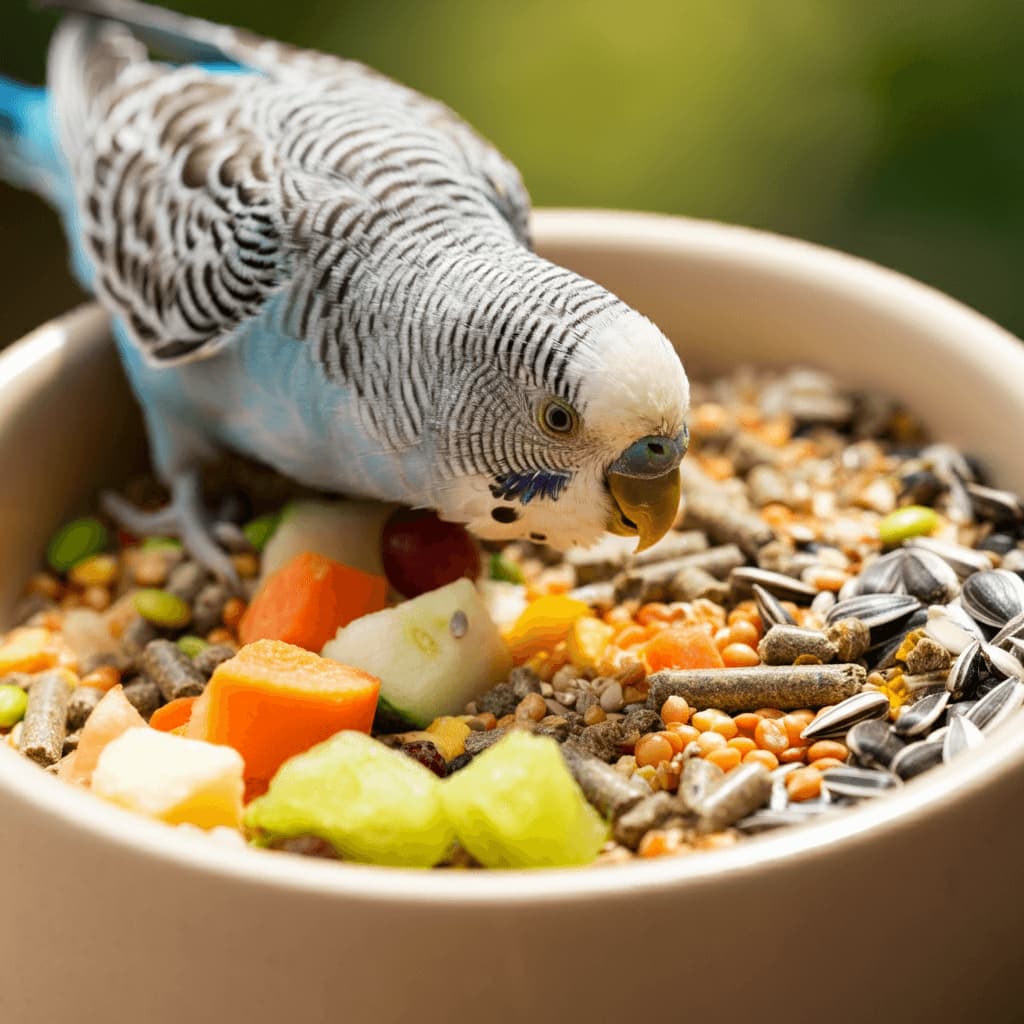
{"points": [[763, 687]]}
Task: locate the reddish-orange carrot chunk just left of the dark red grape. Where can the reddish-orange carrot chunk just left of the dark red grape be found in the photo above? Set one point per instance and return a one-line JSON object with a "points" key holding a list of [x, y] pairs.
{"points": [[309, 600]]}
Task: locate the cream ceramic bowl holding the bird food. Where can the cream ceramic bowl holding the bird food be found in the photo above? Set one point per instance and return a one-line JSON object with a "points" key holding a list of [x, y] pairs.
{"points": [[907, 909]]}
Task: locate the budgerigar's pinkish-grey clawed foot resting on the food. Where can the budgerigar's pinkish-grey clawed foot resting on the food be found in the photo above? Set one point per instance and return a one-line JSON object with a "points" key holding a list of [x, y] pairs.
{"points": [[184, 518]]}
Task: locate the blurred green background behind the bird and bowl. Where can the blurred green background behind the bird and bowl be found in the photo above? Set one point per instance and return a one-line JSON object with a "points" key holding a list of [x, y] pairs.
{"points": [[893, 131]]}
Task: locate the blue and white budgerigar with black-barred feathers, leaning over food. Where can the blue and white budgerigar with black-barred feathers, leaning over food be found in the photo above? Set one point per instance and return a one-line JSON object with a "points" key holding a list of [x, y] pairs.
{"points": [[316, 267]]}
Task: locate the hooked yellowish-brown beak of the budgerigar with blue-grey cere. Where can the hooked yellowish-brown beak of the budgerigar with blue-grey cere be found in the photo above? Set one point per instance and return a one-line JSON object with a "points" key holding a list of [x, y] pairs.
{"points": [[645, 485]]}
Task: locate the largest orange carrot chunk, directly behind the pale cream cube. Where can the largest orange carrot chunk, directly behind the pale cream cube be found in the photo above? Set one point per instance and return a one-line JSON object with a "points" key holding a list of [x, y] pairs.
{"points": [[275, 700]]}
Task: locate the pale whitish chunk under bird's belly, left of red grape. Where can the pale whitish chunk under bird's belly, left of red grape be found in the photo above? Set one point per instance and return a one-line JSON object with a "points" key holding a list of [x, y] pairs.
{"points": [[345, 532]]}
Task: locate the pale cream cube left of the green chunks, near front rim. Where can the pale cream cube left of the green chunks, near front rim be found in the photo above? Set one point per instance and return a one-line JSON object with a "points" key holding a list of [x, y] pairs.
{"points": [[173, 779]]}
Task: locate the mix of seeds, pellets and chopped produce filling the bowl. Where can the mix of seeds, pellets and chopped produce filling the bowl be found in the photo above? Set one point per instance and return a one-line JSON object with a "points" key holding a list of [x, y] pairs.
{"points": [[839, 609]]}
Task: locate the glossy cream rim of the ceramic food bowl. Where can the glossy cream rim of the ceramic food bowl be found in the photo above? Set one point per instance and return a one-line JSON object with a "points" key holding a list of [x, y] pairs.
{"points": [[928, 796]]}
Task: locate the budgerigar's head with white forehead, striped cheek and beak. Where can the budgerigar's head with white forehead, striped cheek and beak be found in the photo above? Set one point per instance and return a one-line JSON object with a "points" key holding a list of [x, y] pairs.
{"points": [[585, 442]]}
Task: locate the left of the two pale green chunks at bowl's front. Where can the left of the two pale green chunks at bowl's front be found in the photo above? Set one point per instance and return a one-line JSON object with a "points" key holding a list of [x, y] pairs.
{"points": [[372, 804]]}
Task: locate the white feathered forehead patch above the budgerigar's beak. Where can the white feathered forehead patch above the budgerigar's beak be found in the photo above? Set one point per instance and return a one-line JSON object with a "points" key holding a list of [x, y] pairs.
{"points": [[632, 380]]}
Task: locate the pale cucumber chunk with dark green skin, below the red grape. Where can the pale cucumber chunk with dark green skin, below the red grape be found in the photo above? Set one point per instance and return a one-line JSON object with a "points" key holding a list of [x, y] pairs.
{"points": [[433, 654]]}
